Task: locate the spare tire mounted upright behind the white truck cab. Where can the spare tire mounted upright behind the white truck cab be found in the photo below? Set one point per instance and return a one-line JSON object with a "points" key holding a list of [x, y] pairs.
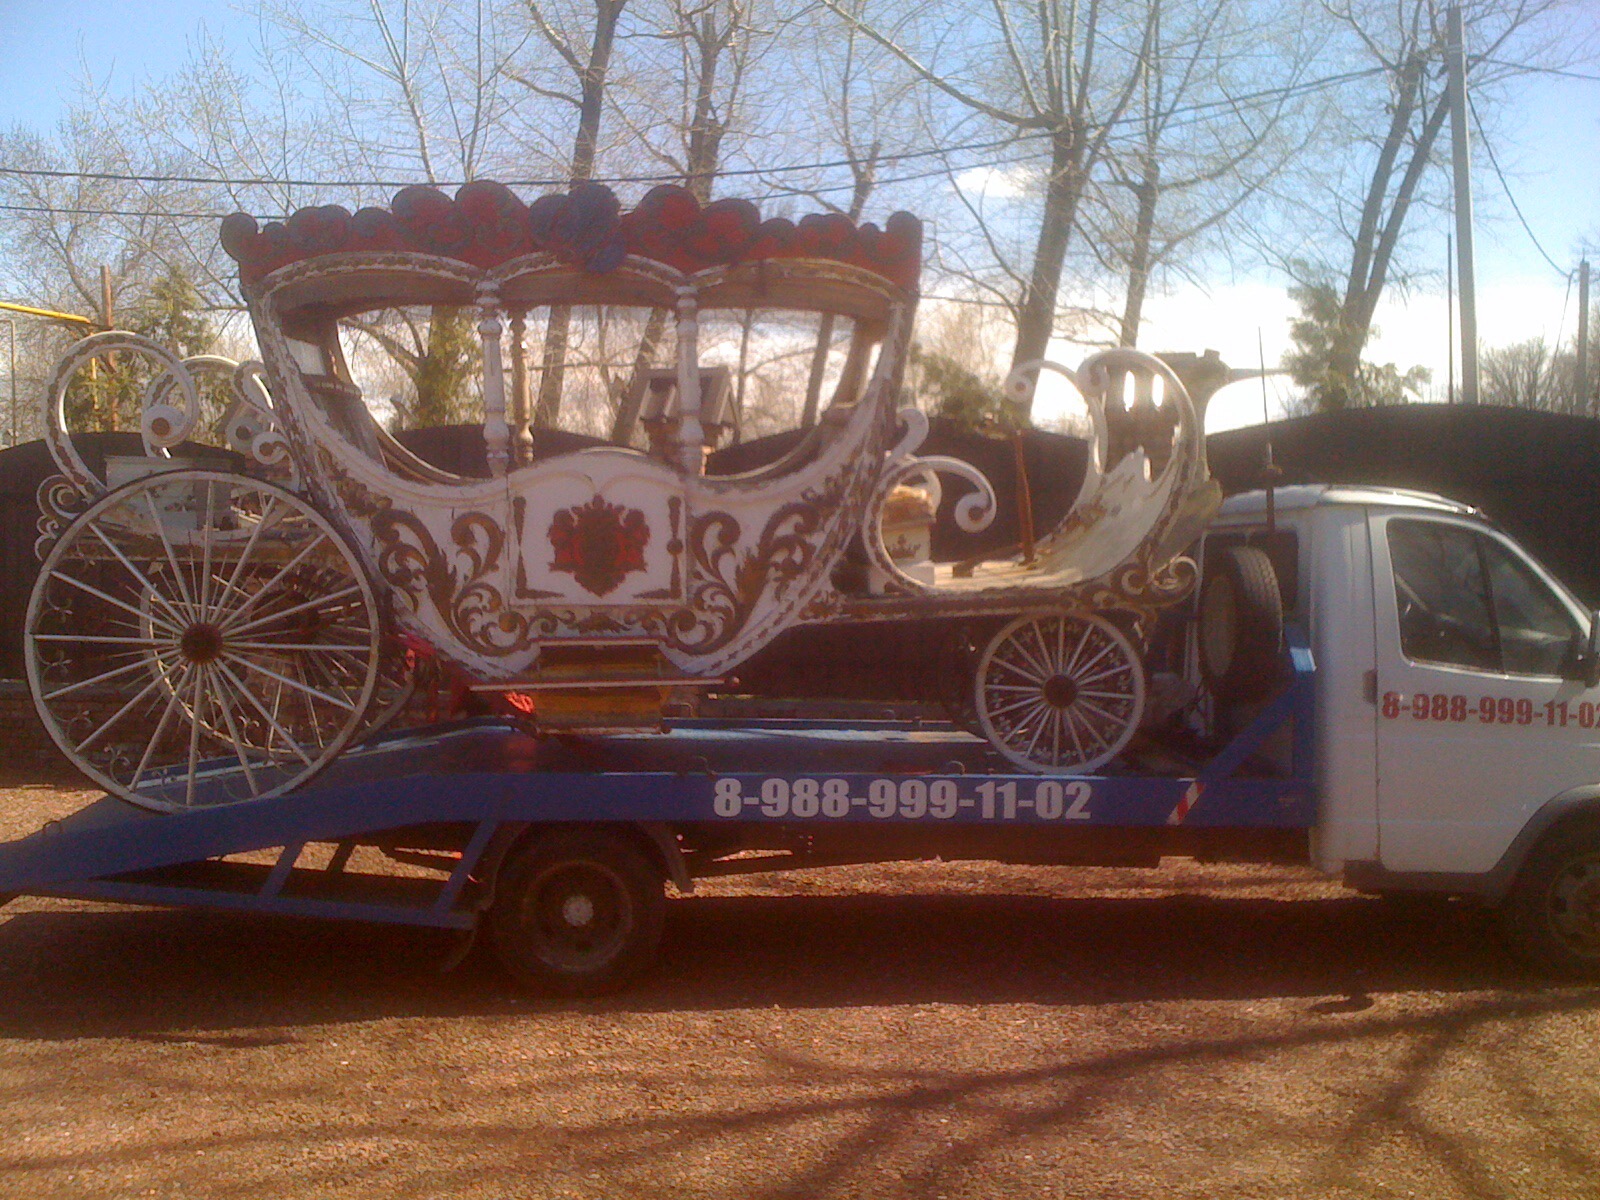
{"points": [[1241, 628]]}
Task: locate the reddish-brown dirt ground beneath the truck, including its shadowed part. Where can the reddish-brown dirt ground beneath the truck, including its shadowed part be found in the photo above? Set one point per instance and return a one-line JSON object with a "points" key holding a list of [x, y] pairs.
{"points": [[911, 1031]]}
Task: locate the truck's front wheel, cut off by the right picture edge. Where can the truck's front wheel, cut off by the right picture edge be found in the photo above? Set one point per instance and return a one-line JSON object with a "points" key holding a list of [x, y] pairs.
{"points": [[1553, 911]]}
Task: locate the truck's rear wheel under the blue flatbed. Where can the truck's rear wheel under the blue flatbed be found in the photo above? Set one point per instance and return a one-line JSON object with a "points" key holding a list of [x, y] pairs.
{"points": [[578, 913]]}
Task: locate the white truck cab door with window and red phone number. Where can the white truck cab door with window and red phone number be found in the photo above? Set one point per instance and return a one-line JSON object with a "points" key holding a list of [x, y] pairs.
{"points": [[1476, 724]]}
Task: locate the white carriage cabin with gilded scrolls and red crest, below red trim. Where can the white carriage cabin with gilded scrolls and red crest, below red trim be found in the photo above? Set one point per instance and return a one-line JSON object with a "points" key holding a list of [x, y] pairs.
{"points": [[604, 543]]}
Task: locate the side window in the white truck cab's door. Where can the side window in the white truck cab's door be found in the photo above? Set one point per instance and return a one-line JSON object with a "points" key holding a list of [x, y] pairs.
{"points": [[1465, 601]]}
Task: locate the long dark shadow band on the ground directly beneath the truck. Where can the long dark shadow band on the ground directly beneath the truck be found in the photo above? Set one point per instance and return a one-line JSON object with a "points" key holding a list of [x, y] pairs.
{"points": [[118, 974]]}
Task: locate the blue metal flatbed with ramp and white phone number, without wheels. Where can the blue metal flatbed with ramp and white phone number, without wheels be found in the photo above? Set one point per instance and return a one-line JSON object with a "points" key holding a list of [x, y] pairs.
{"points": [[460, 798]]}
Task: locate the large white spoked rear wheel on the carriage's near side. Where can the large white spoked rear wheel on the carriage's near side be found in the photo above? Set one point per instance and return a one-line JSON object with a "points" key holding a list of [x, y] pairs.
{"points": [[199, 638]]}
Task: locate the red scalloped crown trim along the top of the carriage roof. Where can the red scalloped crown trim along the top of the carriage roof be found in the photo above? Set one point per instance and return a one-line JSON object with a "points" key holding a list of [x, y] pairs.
{"points": [[487, 225]]}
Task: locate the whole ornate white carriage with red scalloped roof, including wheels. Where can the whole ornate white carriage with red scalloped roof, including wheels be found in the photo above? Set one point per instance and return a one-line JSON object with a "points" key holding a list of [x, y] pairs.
{"points": [[220, 622]]}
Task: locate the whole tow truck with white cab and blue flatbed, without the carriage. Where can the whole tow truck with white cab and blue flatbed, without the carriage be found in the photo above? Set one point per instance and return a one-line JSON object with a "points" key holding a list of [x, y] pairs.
{"points": [[1377, 684]]}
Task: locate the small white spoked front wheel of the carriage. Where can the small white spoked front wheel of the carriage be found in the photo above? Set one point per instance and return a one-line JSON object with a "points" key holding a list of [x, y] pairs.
{"points": [[1060, 694]]}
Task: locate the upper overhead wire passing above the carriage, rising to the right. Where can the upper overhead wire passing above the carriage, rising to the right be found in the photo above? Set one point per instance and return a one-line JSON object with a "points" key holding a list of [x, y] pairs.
{"points": [[906, 156]]}
